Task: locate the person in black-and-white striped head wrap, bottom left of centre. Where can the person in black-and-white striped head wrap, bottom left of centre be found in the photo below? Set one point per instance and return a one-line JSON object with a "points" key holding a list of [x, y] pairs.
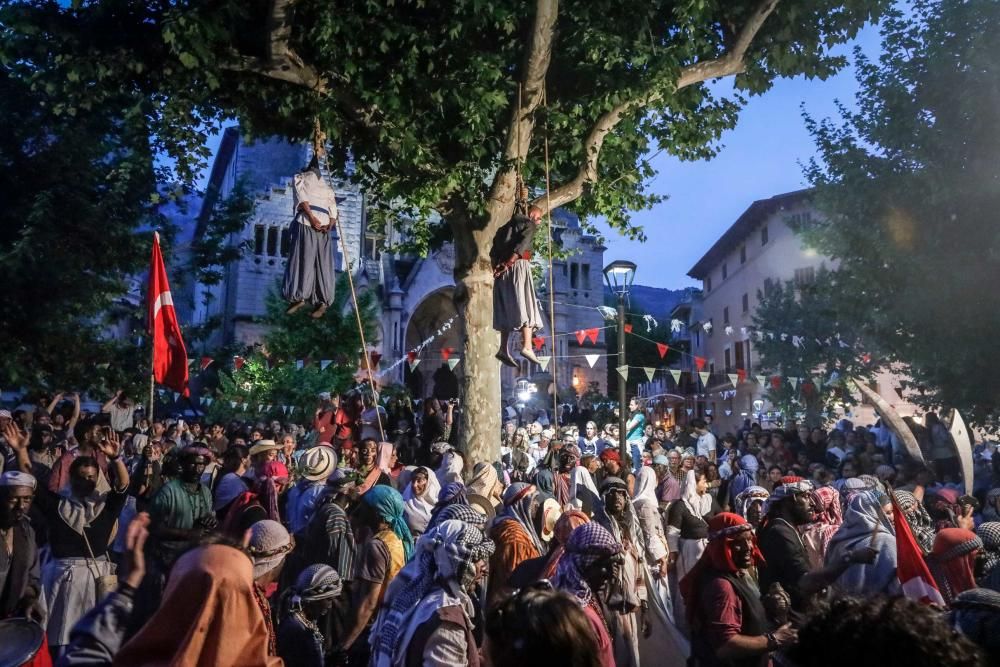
{"points": [[300, 639]]}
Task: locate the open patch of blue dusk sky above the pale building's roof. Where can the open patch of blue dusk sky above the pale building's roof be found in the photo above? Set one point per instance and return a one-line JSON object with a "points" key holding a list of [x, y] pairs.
{"points": [[762, 157]]}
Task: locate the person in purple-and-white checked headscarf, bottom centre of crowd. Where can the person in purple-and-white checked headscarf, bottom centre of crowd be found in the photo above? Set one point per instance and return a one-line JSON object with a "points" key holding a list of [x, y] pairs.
{"points": [[591, 561]]}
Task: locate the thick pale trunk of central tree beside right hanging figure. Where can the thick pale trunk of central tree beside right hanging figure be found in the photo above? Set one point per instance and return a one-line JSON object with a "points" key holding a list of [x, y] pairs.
{"points": [[479, 436]]}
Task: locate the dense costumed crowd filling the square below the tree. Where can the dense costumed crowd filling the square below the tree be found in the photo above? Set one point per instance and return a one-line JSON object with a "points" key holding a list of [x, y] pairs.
{"points": [[365, 537]]}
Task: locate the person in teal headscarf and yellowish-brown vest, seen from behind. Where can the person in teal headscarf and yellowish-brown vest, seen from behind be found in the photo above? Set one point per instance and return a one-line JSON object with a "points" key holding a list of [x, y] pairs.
{"points": [[381, 557]]}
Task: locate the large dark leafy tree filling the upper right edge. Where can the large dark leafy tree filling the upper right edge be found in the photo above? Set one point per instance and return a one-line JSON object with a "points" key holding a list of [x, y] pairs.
{"points": [[910, 184]]}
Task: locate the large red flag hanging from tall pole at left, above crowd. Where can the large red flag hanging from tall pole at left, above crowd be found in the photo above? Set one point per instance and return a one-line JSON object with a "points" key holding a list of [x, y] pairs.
{"points": [[170, 367]]}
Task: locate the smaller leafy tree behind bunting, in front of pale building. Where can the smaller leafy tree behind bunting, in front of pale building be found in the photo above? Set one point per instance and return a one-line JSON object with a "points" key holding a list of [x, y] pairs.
{"points": [[813, 311]]}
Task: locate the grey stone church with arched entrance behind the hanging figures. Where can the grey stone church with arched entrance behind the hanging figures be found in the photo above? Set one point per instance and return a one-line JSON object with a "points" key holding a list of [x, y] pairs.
{"points": [[415, 293]]}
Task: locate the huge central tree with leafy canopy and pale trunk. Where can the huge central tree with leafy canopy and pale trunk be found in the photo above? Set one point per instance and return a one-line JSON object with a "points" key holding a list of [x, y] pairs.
{"points": [[440, 105]]}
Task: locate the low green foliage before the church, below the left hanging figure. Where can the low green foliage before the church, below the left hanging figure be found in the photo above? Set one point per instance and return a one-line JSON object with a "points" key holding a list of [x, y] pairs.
{"points": [[269, 375]]}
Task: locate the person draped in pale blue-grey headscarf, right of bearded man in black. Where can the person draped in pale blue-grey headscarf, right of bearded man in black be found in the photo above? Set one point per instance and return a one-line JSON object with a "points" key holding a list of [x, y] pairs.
{"points": [[866, 524]]}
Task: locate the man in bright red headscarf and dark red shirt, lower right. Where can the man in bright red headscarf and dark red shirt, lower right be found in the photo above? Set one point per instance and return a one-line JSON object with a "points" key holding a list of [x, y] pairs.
{"points": [[729, 625]]}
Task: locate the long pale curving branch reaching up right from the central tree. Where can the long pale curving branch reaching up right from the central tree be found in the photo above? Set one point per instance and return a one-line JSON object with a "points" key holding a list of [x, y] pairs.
{"points": [[728, 64]]}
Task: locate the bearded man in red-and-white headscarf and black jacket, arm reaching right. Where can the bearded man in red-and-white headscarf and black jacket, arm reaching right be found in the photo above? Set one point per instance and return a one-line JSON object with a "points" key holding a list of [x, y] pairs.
{"points": [[785, 556]]}
